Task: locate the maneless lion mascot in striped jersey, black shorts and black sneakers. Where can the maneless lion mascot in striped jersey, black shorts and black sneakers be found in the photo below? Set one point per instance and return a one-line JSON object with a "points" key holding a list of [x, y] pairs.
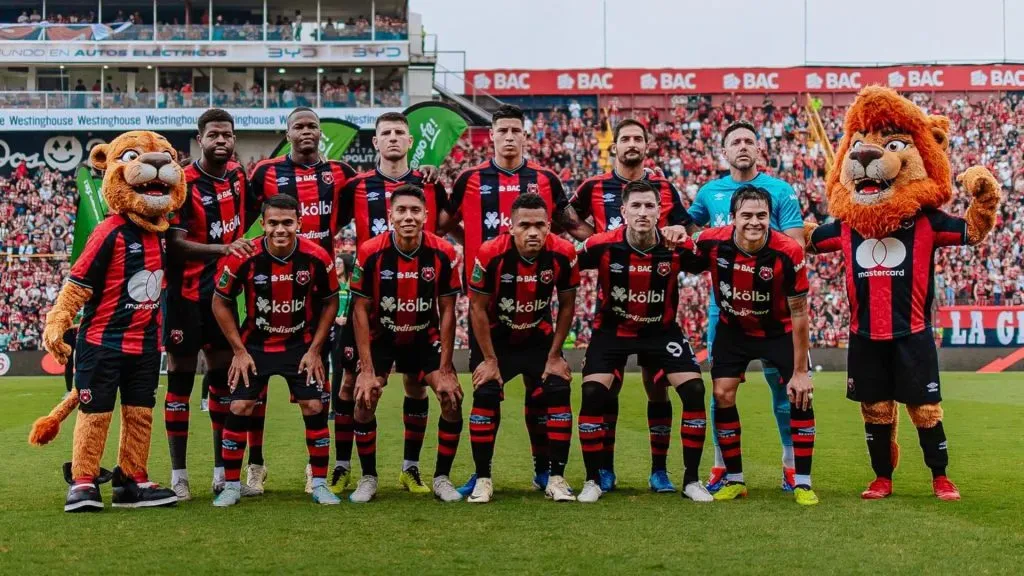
{"points": [[119, 280]]}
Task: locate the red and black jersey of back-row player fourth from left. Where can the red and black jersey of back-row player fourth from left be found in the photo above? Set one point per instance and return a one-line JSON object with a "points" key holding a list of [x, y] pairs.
{"points": [[483, 197]]}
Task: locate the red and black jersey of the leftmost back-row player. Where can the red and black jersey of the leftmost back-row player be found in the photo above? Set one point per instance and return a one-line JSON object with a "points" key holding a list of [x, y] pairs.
{"points": [[212, 215]]}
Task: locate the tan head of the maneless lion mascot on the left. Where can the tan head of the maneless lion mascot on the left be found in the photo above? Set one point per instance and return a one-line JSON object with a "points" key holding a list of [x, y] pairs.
{"points": [[142, 178]]}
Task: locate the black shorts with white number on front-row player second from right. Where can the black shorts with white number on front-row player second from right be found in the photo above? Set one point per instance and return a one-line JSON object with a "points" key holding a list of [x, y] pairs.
{"points": [[668, 353]]}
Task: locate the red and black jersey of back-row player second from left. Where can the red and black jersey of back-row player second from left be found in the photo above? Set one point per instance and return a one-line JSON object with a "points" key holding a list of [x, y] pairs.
{"points": [[318, 188]]}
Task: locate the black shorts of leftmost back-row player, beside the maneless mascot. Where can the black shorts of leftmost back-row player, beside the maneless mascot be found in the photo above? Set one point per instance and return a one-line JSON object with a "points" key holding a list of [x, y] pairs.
{"points": [[190, 326]]}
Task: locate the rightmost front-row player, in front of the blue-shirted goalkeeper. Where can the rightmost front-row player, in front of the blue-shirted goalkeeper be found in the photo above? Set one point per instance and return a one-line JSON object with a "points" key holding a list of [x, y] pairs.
{"points": [[761, 285]]}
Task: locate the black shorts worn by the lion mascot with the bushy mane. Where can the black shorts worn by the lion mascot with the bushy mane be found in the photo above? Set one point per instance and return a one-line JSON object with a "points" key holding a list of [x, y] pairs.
{"points": [[904, 369]]}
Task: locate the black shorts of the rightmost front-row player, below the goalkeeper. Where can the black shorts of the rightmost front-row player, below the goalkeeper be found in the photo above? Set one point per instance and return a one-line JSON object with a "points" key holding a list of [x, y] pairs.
{"points": [[735, 350]]}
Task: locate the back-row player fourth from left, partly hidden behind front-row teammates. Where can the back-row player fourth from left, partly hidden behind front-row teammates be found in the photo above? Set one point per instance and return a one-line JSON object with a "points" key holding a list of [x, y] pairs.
{"points": [[482, 200]]}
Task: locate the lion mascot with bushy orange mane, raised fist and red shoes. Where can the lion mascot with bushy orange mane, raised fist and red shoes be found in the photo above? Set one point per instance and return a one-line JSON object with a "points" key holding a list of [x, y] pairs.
{"points": [[891, 178]]}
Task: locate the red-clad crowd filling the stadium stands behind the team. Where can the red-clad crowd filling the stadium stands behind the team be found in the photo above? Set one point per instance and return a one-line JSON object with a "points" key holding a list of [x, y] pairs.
{"points": [[36, 211]]}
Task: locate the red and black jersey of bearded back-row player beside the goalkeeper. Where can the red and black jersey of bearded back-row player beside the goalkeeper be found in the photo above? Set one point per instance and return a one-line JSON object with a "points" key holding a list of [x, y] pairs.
{"points": [[602, 198]]}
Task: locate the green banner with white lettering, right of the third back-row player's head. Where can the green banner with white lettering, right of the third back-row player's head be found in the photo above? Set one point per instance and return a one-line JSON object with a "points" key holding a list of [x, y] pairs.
{"points": [[437, 128]]}
